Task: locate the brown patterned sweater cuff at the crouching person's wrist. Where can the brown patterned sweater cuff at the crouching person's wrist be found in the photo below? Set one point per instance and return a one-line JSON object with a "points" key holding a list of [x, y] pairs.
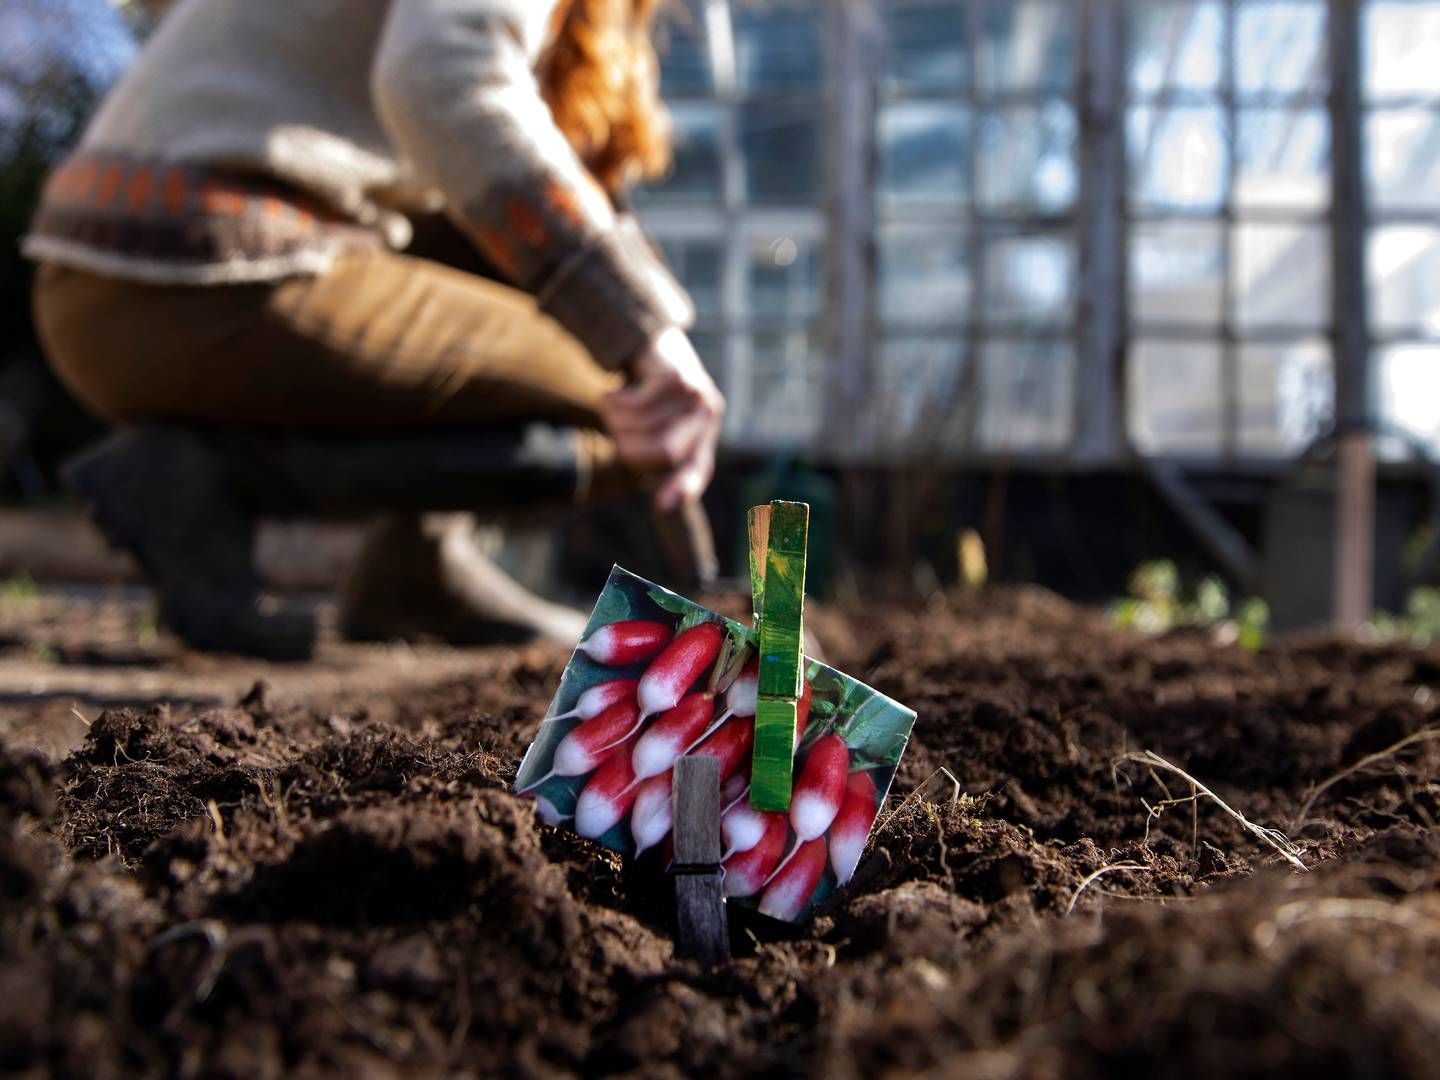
{"points": [[617, 294]]}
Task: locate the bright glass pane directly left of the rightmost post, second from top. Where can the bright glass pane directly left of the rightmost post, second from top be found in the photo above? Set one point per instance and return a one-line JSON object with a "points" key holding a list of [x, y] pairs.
{"points": [[1285, 159]]}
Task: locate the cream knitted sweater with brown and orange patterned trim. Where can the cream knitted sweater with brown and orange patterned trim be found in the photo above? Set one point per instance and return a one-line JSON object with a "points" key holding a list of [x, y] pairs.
{"points": [[377, 109]]}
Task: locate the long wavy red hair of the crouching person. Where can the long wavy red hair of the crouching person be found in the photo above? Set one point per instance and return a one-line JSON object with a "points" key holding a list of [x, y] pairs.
{"points": [[601, 78]]}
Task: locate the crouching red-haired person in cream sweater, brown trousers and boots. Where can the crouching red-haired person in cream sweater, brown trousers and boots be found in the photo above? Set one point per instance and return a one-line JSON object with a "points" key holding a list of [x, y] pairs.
{"points": [[369, 258]]}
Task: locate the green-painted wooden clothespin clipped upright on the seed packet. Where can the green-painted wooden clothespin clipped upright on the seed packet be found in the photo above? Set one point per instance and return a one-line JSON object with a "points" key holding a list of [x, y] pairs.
{"points": [[780, 536]]}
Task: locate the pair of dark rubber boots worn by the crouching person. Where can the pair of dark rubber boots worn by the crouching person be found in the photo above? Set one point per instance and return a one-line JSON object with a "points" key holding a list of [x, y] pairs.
{"points": [[186, 503]]}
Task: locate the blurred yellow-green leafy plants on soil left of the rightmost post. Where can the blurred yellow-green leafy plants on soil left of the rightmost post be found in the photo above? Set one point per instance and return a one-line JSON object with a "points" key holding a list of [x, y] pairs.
{"points": [[1158, 604]]}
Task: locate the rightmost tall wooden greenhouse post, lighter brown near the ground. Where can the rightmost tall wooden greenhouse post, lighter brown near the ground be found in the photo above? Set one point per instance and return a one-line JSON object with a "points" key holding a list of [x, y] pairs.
{"points": [[1354, 414]]}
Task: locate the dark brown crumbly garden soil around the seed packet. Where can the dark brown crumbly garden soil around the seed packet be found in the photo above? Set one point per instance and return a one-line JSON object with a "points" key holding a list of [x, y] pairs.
{"points": [[271, 889]]}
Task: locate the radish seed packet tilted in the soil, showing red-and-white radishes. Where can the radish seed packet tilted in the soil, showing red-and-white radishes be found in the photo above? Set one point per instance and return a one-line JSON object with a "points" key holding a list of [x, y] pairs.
{"points": [[657, 676]]}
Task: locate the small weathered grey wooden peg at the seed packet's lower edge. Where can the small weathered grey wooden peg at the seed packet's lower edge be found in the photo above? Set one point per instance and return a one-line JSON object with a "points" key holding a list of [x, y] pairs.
{"points": [[701, 924]]}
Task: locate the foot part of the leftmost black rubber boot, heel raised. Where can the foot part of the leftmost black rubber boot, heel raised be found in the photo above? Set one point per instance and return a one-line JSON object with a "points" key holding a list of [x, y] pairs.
{"points": [[163, 495]]}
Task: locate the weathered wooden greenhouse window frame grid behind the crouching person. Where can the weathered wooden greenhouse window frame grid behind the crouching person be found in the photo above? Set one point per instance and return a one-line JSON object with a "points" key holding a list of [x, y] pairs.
{"points": [[1099, 230]]}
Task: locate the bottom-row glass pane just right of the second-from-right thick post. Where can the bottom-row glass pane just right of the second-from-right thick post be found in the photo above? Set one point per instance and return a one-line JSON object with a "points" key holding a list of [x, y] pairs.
{"points": [[1176, 398]]}
